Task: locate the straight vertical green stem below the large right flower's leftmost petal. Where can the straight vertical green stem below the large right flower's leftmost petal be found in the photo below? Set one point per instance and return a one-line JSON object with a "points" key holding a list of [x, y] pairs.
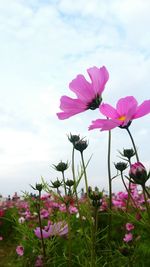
{"points": [[110, 186]]}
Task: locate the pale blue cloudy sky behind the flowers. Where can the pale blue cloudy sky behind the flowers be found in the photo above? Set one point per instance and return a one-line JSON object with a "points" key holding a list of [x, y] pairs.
{"points": [[44, 44]]}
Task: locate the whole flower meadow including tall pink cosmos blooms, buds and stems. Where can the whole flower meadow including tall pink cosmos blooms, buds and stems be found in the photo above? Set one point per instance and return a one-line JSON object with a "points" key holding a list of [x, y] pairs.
{"points": [[62, 224]]}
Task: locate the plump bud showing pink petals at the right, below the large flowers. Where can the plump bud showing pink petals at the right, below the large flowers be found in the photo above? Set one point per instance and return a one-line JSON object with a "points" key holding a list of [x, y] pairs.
{"points": [[138, 173]]}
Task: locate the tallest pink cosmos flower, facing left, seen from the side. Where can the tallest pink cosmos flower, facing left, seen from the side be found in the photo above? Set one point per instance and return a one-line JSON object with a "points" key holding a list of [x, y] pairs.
{"points": [[88, 94]]}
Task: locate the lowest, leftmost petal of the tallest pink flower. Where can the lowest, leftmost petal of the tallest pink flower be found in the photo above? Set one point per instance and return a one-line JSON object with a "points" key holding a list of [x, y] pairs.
{"points": [[70, 107]]}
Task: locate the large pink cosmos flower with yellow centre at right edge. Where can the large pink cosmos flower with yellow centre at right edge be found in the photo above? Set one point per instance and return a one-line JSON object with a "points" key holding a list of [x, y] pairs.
{"points": [[126, 110]]}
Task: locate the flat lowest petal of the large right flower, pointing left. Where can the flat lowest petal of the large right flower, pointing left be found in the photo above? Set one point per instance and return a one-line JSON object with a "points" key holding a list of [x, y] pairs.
{"points": [[104, 124]]}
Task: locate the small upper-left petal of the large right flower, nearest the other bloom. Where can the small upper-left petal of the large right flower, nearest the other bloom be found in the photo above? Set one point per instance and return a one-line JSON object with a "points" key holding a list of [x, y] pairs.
{"points": [[108, 111]]}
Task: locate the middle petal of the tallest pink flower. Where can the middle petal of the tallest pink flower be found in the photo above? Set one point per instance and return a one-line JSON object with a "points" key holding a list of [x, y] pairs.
{"points": [[82, 88]]}
